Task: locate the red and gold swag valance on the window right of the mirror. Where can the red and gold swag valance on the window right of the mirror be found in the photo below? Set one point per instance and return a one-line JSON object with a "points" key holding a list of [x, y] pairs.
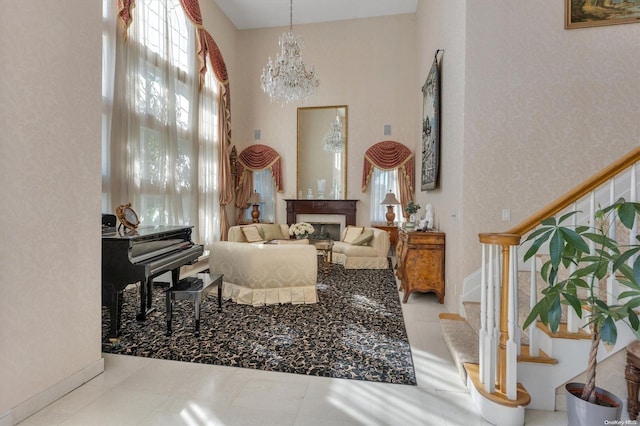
{"points": [[388, 155]]}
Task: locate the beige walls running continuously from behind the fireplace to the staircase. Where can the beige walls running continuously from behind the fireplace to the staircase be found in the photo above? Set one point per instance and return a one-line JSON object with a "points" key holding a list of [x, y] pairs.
{"points": [[518, 91]]}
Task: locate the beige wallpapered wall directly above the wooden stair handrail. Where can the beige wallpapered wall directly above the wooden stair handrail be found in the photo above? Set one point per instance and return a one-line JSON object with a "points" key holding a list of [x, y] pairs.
{"points": [[545, 108]]}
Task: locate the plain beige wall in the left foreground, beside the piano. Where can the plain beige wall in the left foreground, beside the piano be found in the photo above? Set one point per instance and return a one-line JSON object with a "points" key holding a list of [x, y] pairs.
{"points": [[50, 173]]}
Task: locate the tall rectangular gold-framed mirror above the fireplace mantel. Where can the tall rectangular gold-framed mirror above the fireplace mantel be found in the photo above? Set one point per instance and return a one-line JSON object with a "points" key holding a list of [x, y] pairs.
{"points": [[322, 152]]}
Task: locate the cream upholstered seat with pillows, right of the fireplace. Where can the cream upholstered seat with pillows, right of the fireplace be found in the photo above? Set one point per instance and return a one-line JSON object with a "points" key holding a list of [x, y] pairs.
{"points": [[372, 254]]}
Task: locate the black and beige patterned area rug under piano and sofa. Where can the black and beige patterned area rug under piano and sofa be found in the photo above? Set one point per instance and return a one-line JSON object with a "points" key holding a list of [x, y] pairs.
{"points": [[355, 331]]}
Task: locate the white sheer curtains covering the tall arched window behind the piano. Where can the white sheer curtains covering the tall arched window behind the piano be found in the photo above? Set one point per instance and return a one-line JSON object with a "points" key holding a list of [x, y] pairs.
{"points": [[162, 146]]}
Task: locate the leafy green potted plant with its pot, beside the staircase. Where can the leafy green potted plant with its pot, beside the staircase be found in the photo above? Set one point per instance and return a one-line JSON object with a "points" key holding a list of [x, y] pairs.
{"points": [[580, 291]]}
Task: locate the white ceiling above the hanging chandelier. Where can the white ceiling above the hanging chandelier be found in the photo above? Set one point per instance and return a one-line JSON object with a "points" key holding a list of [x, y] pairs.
{"points": [[250, 14]]}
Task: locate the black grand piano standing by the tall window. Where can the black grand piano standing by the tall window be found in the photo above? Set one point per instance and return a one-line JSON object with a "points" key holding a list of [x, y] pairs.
{"points": [[140, 256]]}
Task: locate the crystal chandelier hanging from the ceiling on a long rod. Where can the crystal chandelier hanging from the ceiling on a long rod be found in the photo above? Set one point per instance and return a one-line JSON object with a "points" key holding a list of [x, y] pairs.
{"points": [[286, 79]]}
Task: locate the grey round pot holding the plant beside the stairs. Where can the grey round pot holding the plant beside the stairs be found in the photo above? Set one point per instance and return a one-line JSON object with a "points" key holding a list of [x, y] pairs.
{"points": [[580, 412]]}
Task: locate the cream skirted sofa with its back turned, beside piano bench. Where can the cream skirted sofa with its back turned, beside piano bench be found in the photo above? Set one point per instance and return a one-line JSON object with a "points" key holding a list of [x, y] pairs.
{"points": [[265, 274]]}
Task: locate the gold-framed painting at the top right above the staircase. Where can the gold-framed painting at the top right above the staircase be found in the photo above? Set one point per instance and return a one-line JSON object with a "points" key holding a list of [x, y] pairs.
{"points": [[593, 13]]}
